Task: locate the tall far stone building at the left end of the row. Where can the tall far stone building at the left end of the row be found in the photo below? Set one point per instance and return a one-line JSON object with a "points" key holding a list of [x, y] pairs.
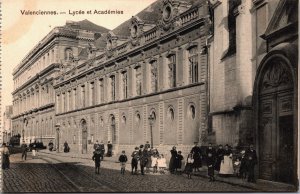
{"points": [[34, 95]]}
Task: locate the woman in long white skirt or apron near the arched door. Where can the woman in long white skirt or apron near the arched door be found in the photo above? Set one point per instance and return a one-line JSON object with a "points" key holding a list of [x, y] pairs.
{"points": [[226, 167]]}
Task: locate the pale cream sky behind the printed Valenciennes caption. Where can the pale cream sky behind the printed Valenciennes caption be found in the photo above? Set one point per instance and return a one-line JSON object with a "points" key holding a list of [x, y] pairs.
{"points": [[20, 33]]}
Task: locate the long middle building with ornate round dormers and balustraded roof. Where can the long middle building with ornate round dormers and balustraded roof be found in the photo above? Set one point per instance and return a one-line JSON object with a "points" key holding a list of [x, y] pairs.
{"points": [[148, 84]]}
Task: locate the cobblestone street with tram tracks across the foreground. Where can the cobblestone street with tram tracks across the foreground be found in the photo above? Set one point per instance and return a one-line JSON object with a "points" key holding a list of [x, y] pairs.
{"points": [[55, 173]]}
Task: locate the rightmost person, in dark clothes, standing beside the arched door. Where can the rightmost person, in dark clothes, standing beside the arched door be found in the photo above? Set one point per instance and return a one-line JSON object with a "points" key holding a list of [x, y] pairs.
{"points": [[251, 162]]}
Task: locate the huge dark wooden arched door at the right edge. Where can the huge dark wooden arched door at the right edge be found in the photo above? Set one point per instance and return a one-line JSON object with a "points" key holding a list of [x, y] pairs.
{"points": [[276, 124]]}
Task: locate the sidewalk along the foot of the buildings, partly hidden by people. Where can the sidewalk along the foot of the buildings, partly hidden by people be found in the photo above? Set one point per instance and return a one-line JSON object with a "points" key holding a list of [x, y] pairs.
{"points": [[260, 185]]}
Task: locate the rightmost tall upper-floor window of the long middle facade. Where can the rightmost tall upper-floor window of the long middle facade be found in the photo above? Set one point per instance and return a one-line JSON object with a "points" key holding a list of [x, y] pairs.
{"points": [[193, 65]]}
